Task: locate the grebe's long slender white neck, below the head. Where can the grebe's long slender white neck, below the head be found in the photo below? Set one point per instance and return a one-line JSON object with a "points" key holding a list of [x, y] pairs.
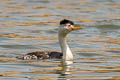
{"points": [[67, 54]]}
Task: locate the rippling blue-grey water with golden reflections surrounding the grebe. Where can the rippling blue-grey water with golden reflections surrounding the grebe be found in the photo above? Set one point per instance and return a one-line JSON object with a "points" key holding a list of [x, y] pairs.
{"points": [[28, 25]]}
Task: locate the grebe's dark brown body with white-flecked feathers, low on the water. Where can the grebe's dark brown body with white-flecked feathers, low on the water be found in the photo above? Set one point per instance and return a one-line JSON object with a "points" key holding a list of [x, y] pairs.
{"points": [[39, 55]]}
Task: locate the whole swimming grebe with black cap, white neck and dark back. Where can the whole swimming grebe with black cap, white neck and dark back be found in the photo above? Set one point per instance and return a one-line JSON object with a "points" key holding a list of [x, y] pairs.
{"points": [[65, 27]]}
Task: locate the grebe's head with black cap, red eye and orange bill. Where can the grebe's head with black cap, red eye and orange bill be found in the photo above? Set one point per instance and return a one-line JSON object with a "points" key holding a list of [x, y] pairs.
{"points": [[67, 26]]}
